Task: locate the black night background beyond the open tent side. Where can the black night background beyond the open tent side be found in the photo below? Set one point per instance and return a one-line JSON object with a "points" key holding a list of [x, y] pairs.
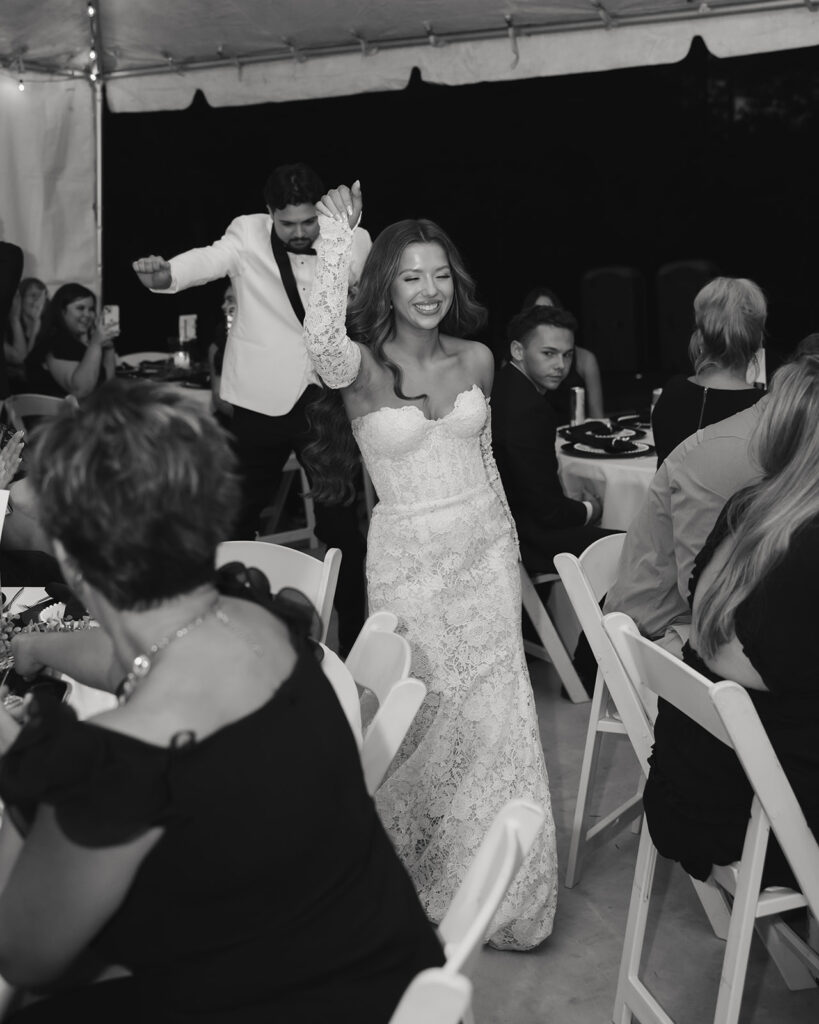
{"points": [[538, 182]]}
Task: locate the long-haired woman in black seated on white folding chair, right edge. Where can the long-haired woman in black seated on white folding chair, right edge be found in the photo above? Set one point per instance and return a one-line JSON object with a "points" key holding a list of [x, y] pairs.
{"points": [[755, 623]]}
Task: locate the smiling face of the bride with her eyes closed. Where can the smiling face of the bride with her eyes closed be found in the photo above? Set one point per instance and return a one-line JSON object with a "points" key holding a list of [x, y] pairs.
{"points": [[423, 290]]}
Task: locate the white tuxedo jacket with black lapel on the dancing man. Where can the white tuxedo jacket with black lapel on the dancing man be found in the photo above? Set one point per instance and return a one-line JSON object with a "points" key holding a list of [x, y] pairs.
{"points": [[267, 367]]}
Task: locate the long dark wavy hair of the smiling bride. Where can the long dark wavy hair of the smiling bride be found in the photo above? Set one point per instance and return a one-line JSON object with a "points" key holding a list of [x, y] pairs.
{"points": [[332, 456]]}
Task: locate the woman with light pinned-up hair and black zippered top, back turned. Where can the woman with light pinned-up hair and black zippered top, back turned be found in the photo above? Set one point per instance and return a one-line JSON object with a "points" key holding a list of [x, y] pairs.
{"points": [[729, 318]]}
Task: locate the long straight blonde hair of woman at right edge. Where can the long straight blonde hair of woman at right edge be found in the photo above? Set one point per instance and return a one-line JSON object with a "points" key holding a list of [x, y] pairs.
{"points": [[764, 518]]}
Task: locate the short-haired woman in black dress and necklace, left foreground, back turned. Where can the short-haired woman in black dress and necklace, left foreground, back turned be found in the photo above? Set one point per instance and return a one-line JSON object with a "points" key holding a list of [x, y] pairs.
{"points": [[212, 834]]}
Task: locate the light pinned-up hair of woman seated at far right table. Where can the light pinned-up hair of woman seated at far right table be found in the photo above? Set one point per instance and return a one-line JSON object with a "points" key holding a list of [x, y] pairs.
{"points": [[729, 318]]}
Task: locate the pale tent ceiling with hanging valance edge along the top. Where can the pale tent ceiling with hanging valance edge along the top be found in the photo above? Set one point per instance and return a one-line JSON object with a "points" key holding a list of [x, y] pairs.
{"points": [[155, 54]]}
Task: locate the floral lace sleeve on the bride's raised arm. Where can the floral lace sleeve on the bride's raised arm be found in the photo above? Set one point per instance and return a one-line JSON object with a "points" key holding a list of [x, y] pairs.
{"points": [[336, 359]]}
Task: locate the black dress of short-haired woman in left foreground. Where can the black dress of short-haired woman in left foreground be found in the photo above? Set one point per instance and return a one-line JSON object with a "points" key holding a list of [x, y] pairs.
{"points": [[274, 894]]}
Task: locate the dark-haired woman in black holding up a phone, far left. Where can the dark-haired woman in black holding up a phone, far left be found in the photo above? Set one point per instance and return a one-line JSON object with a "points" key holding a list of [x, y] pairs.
{"points": [[73, 354]]}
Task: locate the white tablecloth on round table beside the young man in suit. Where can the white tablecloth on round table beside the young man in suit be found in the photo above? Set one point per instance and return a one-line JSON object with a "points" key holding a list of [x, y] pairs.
{"points": [[620, 484]]}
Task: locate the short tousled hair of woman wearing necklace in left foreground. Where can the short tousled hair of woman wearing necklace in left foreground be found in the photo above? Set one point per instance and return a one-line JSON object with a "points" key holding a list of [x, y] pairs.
{"points": [[140, 487]]}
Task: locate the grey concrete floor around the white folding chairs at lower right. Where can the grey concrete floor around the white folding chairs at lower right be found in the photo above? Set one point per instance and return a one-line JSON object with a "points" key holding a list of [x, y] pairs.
{"points": [[572, 978]]}
